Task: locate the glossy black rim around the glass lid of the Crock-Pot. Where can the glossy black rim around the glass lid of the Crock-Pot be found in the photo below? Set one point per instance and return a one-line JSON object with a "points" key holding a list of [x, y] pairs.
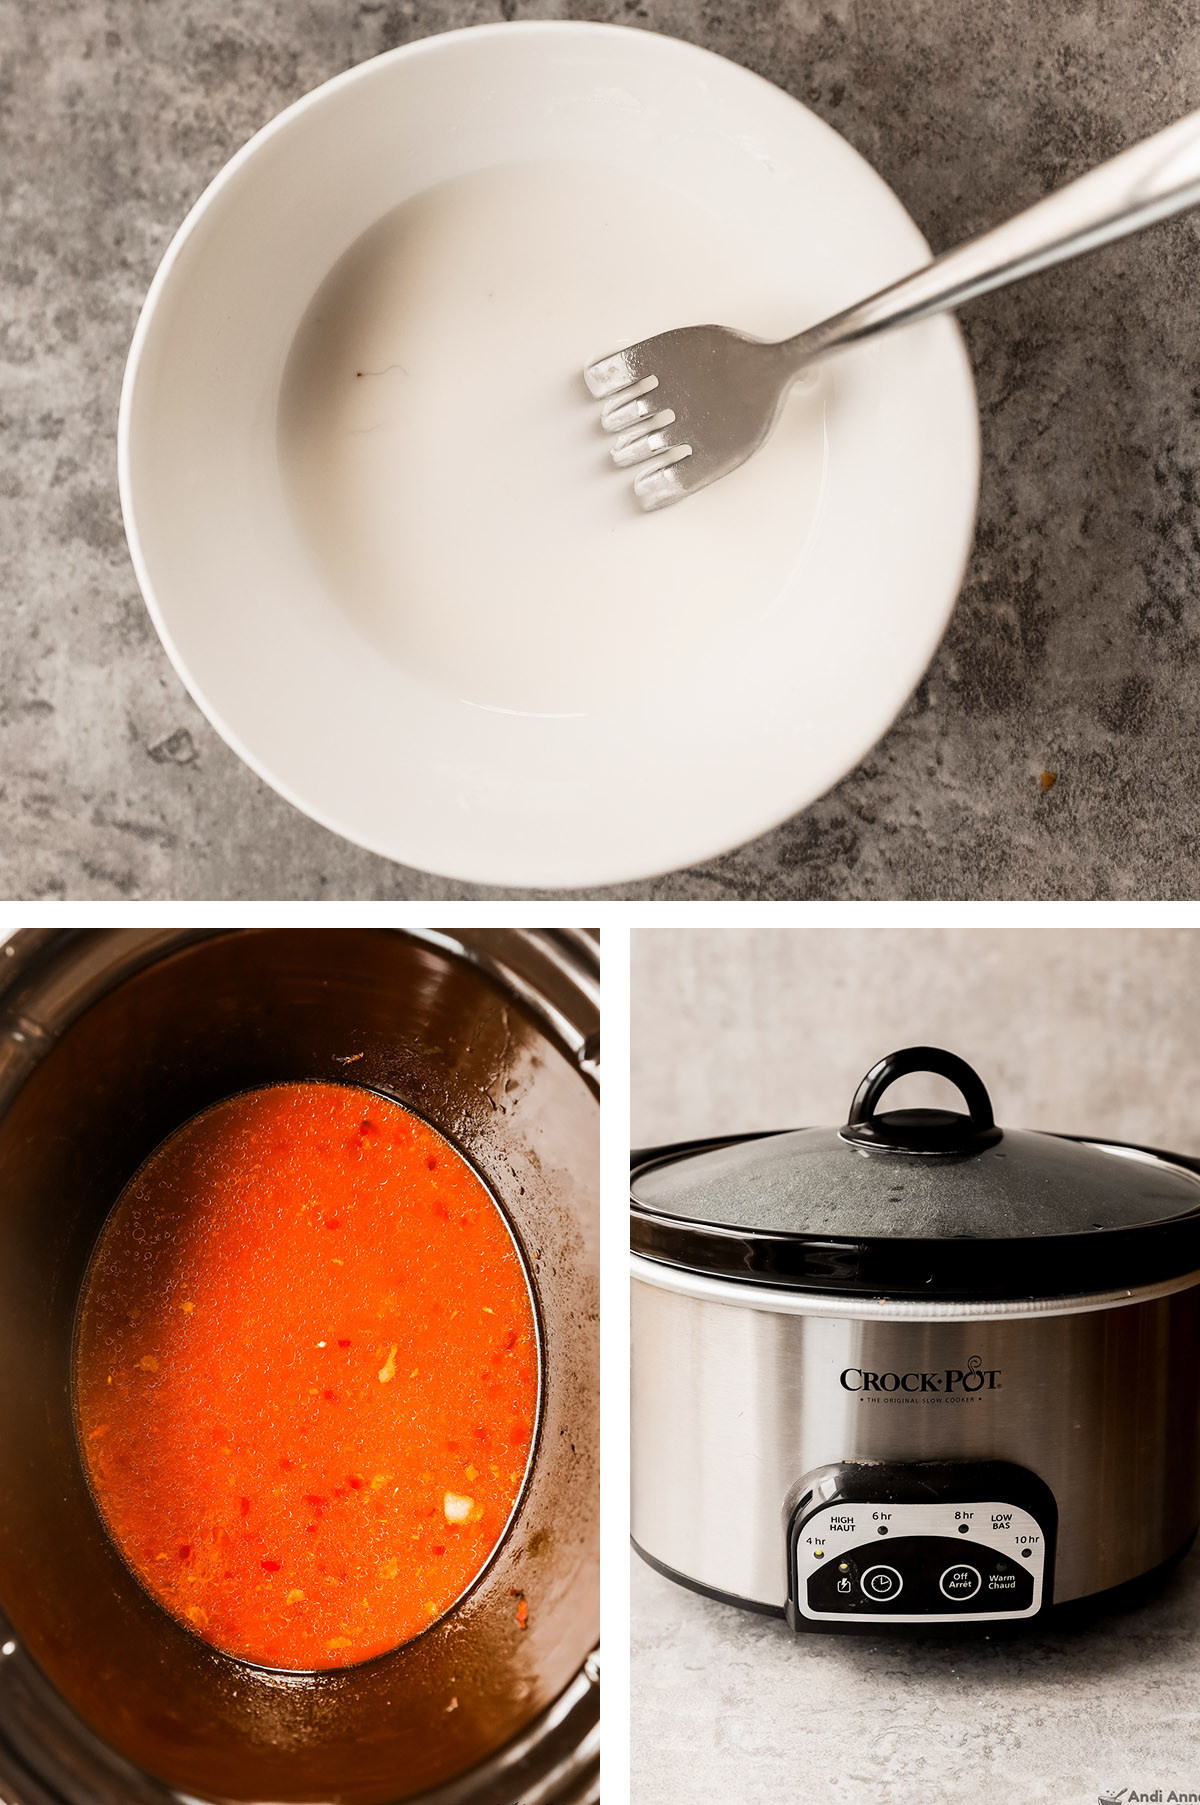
{"points": [[950, 1270]]}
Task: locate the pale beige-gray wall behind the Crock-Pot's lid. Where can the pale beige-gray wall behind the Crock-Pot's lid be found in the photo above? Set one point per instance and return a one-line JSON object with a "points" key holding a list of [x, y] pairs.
{"points": [[1082, 1032]]}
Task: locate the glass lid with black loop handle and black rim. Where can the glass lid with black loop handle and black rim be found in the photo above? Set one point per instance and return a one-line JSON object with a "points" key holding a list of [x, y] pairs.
{"points": [[921, 1203]]}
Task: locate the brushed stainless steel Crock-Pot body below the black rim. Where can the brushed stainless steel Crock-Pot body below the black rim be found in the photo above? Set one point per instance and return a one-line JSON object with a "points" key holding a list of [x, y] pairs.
{"points": [[746, 1398]]}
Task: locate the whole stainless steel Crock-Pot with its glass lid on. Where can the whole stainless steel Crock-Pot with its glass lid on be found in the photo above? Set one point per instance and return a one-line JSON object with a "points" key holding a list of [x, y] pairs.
{"points": [[918, 1371]]}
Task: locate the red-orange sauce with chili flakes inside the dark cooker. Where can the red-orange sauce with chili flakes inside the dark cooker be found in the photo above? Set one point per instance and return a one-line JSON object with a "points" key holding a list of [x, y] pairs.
{"points": [[306, 1376]]}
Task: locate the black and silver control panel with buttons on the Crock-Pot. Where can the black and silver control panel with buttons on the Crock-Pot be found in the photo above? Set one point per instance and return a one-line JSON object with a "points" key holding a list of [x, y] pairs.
{"points": [[925, 1544]]}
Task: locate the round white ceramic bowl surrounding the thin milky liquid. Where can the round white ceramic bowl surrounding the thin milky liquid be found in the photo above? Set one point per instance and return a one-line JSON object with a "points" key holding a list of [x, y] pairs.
{"points": [[719, 739]]}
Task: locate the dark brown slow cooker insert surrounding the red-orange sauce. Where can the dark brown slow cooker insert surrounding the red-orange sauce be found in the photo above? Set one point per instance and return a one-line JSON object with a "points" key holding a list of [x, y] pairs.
{"points": [[109, 1041]]}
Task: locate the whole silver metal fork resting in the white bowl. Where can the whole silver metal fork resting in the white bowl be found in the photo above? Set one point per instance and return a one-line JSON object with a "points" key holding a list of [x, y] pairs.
{"points": [[696, 403]]}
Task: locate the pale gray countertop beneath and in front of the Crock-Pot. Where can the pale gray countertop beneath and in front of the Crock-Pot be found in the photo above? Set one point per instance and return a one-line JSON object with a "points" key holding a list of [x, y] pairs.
{"points": [[732, 1708]]}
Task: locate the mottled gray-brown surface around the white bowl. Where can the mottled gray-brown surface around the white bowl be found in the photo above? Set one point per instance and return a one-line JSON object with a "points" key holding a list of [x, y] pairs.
{"points": [[1075, 647]]}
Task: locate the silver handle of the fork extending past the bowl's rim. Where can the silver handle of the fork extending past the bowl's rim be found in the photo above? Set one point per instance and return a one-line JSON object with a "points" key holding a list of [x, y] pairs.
{"points": [[1134, 190]]}
